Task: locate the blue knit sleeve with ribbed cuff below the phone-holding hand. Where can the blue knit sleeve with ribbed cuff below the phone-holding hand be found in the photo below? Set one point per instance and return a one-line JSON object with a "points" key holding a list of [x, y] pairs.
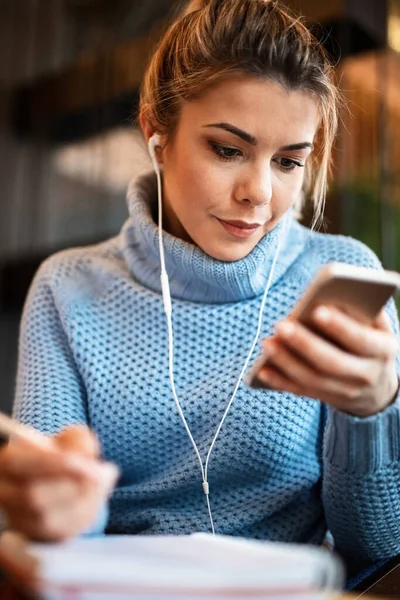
{"points": [[361, 483]]}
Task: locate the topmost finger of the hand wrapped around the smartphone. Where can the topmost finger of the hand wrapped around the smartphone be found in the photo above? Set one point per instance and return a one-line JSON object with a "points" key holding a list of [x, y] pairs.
{"points": [[358, 338]]}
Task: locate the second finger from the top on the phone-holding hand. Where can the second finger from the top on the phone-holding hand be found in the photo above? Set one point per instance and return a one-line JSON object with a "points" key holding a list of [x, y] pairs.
{"points": [[323, 356]]}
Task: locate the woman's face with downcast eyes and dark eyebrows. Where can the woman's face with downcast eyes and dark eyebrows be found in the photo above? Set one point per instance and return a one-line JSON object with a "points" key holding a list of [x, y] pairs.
{"points": [[236, 164]]}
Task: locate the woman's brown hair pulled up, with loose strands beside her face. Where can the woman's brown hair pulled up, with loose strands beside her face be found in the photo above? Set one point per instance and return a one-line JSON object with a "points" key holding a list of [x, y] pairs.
{"points": [[216, 38]]}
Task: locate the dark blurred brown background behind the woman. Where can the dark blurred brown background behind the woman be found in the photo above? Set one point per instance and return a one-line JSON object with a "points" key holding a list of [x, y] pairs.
{"points": [[69, 77]]}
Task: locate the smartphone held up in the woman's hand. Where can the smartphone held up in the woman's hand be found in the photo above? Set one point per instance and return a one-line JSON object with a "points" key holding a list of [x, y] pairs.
{"points": [[358, 291]]}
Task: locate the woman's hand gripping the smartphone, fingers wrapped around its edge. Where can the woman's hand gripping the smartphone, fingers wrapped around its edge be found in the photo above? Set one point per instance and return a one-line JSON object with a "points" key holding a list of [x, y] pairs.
{"points": [[357, 376]]}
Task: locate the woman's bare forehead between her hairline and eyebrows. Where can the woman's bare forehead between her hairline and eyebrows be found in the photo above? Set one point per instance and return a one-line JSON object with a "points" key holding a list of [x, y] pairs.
{"points": [[260, 107]]}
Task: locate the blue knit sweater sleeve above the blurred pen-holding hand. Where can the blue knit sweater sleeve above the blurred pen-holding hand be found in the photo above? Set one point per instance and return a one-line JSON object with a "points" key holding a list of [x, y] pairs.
{"points": [[50, 394]]}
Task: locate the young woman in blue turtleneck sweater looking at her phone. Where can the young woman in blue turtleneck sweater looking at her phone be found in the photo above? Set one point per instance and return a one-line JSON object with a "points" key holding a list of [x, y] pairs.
{"points": [[243, 103]]}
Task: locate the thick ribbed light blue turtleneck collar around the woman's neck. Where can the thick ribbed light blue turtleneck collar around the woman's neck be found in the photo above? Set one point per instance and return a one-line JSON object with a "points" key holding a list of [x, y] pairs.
{"points": [[193, 274]]}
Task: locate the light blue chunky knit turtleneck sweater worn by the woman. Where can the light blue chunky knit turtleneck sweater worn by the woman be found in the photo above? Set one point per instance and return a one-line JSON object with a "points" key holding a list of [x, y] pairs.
{"points": [[94, 349]]}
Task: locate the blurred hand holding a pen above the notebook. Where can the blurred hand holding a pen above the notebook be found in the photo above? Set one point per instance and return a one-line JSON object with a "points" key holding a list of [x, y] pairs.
{"points": [[54, 494]]}
